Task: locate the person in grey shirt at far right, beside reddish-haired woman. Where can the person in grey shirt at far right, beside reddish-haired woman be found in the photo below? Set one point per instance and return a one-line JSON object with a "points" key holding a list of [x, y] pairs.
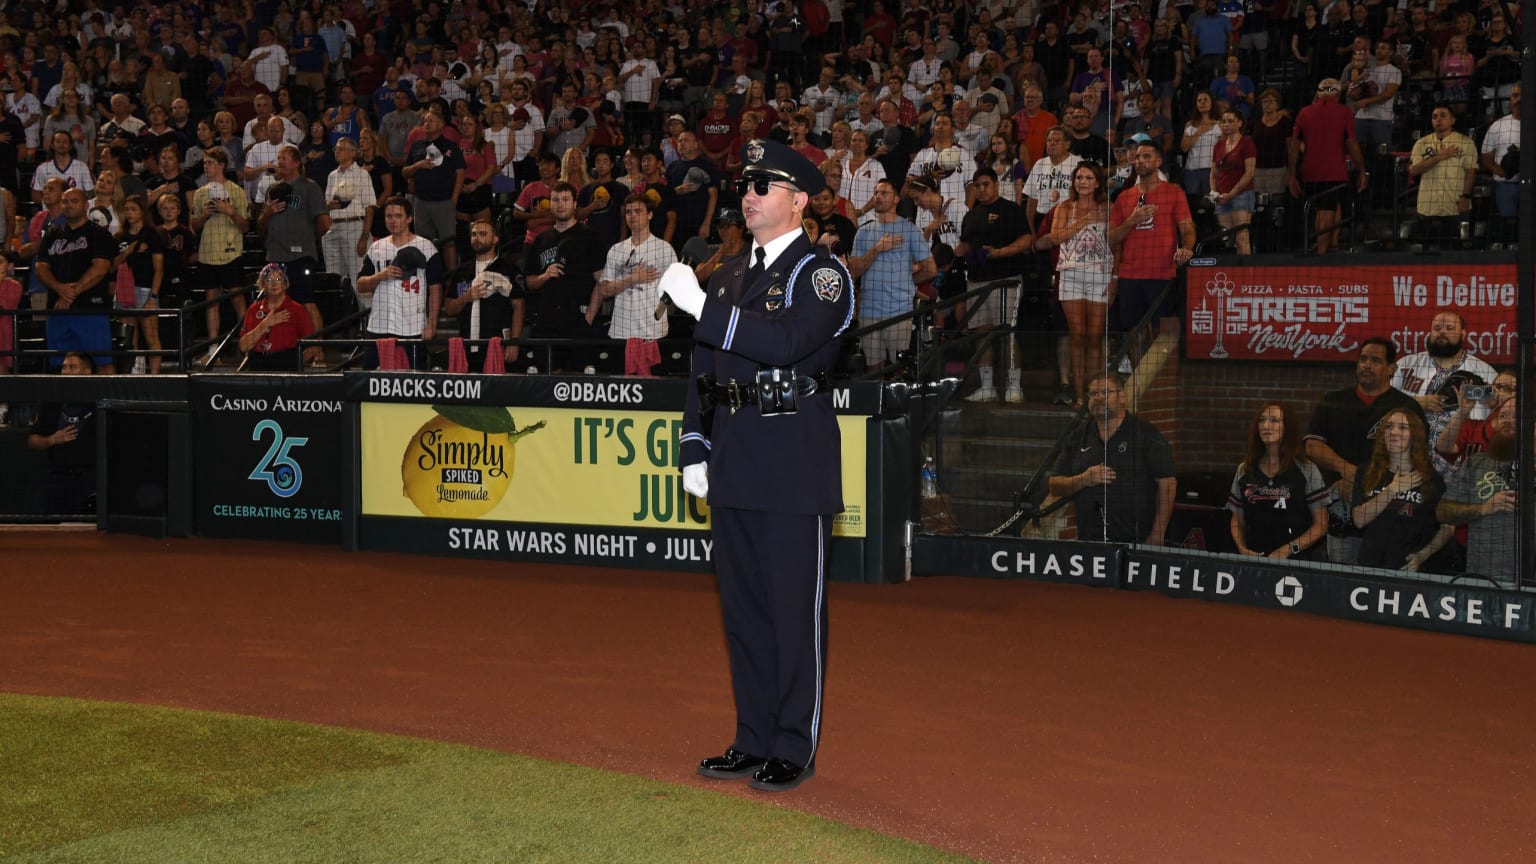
{"points": [[1481, 497]]}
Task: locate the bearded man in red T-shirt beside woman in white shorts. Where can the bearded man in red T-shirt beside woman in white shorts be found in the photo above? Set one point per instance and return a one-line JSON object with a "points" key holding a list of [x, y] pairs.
{"points": [[1153, 234]]}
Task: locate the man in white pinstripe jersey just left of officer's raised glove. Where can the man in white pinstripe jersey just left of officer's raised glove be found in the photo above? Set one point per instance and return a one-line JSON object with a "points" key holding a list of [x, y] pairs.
{"points": [[631, 276]]}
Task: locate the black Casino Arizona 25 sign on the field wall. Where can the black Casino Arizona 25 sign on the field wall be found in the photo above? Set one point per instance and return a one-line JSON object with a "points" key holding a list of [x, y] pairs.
{"points": [[268, 460]]}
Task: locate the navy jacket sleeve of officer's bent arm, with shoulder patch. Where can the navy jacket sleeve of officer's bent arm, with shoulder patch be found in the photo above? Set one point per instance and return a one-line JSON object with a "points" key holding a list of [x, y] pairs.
{"points": [[818, 308]]}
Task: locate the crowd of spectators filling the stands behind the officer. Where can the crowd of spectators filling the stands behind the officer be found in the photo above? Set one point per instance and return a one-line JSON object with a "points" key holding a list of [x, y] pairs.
{"points": [[526, 171]]}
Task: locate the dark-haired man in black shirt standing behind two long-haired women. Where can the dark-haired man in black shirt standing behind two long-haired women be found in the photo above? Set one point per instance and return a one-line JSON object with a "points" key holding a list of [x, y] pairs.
{"points": [[1343, 431]]}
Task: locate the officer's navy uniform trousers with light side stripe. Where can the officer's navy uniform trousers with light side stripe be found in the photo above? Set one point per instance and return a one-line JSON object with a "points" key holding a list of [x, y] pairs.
{"points": [[773, 596]]}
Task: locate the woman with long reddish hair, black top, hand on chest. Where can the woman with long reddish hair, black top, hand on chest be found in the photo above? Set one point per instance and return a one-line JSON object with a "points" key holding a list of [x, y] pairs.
{"points": [[1395, 497]]}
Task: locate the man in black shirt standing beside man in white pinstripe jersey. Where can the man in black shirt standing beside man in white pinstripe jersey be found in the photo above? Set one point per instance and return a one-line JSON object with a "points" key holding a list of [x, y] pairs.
{"points": [[563, 265]]}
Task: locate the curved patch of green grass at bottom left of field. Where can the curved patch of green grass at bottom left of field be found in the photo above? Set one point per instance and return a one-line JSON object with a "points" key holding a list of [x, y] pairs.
{"points": [[116, 783]]}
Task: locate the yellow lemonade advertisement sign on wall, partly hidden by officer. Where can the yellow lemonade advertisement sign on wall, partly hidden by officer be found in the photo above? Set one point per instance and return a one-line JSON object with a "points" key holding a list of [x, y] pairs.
{"points": [[549, 465]]}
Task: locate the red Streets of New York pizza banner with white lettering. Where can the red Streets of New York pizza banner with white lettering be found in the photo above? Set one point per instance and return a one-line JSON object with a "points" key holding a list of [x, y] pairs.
{"points": [[1323, 313]]}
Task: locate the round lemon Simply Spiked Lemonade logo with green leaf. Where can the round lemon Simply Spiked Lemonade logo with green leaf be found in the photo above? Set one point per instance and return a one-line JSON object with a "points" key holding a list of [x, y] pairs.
{"points": [[460, 464]]}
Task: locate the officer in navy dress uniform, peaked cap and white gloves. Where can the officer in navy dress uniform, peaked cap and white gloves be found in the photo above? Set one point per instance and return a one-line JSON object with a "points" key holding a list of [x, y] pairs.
{"points": [[761, 440]]}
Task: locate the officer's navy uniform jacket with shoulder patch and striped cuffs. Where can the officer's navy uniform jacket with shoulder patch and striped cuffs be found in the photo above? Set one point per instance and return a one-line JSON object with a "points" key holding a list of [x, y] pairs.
{"points": [[789, 464]]}
